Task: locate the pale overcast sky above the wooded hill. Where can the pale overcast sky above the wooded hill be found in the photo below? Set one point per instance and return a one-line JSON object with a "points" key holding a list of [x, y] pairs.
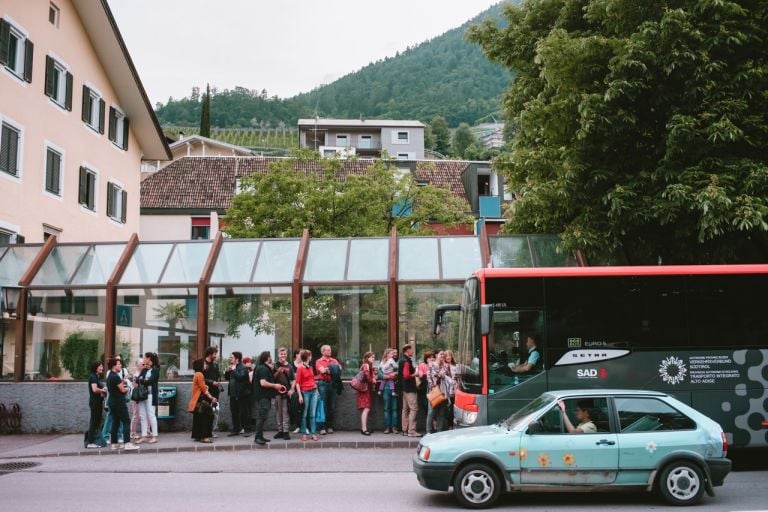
{"points": [[283, 46]]}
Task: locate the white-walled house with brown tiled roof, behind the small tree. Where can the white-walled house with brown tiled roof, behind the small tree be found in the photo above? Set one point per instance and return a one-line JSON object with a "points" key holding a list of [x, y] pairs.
{"points": [[186, 199]]}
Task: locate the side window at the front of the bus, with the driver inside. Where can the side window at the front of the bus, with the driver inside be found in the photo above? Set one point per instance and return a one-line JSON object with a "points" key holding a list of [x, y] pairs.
{"points": [[512, 382]]}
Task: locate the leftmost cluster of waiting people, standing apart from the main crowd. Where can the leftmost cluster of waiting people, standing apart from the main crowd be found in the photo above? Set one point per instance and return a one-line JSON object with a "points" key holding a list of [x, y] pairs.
{"points": [[131, 417]]}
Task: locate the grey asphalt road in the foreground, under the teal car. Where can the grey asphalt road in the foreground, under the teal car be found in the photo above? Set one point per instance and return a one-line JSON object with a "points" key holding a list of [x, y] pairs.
{"points": [[294, 480]]}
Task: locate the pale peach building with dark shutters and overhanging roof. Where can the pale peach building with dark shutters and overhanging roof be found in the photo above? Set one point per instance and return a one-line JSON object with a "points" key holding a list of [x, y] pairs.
{"points": [[76, 123]]}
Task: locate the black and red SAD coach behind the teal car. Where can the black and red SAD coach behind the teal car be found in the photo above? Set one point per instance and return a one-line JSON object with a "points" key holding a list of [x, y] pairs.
{"points": [[699, 333]]}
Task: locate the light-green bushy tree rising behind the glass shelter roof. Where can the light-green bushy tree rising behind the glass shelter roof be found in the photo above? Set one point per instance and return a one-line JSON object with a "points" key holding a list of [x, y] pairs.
{"points": [[333, 203]]}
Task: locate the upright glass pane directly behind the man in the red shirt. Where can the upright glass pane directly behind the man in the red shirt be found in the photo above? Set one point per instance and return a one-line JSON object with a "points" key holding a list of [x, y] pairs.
{"points": [[352, 320]]}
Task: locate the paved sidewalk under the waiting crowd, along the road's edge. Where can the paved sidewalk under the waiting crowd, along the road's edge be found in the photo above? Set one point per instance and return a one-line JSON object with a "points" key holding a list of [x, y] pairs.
{"points": [[63, 445]]}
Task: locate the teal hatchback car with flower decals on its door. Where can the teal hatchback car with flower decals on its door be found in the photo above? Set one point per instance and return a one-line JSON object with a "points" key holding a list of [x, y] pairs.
{"points": [[581, 440]]}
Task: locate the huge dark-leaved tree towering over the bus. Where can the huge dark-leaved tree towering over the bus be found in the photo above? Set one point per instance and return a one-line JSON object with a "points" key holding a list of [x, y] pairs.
{"points": [[641, 127]]}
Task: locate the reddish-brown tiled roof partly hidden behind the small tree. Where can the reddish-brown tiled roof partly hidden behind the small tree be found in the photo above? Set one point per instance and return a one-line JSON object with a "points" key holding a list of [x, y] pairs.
{"points": [[208, 183]]}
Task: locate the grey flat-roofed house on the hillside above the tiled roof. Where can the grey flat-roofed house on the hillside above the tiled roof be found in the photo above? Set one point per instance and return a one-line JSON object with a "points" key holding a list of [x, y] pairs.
{"points": [[403, 140]]}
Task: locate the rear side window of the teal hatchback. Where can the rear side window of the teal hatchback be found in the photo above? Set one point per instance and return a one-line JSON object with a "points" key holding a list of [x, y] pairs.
{"points": [[650, 414]]}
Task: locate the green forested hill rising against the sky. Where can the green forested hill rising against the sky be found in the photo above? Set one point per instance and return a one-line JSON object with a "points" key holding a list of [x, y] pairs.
{"points": [[444, 76]]}
